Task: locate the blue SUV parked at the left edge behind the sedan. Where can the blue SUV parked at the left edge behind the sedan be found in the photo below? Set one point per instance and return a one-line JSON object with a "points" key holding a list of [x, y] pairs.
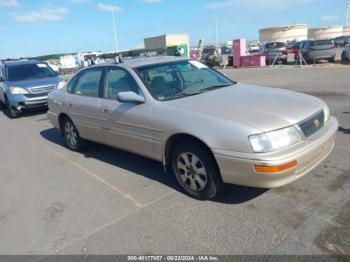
{"points": [[25, 84]]}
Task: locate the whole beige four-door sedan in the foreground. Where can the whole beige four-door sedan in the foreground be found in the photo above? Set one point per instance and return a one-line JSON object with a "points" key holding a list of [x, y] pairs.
{"points": [[206, 129]]}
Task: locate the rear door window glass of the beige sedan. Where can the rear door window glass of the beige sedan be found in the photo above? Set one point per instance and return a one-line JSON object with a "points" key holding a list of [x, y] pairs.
{"points": [[88, 83]]}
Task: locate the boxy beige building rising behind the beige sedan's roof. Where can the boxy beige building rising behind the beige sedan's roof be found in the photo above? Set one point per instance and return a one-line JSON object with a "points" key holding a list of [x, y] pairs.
{"points": [[169, 42]]}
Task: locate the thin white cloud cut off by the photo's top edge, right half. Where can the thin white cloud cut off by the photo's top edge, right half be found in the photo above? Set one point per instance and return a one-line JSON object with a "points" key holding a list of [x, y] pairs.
{"points": [[256, 5]]}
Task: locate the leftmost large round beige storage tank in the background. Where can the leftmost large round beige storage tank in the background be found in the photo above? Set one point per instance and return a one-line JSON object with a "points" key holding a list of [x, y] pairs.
{"points": [[296, 32]]}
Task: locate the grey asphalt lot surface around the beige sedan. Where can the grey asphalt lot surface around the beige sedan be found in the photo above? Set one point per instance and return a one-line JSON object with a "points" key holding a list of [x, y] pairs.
{"points": [[106, 201]]}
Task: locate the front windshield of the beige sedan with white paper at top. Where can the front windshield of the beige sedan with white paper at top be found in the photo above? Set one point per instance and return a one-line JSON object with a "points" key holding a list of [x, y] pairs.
{"points": [[180, 79]]}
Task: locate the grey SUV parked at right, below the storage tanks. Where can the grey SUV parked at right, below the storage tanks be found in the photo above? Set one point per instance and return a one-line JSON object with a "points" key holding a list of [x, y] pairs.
{"points": [[313, 51]]}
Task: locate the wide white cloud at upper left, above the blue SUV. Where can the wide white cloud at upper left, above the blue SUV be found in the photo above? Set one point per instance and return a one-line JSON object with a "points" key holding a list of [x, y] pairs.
{"points": [[46, 14]]}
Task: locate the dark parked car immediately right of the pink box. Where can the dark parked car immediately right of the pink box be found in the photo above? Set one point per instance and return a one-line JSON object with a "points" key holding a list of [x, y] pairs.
{"points": [[276, 51]]}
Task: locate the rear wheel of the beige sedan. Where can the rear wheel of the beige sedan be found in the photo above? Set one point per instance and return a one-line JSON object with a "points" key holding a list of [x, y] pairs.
{"points": [[71, 135]]}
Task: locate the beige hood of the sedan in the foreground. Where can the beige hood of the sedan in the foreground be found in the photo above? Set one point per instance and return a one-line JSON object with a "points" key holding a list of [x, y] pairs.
{"points": [[261, 107]]}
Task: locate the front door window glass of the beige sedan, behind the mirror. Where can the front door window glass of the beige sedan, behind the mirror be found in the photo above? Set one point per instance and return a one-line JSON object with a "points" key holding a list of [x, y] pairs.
{"points": [[119, 80]]}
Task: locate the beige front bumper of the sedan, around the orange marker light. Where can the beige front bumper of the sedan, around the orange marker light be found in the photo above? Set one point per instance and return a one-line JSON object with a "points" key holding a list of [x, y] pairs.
{"points": [[238, 168]]}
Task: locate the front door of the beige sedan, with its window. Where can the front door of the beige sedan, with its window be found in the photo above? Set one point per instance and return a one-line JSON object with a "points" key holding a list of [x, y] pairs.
{"points": [[127, 125]]}
